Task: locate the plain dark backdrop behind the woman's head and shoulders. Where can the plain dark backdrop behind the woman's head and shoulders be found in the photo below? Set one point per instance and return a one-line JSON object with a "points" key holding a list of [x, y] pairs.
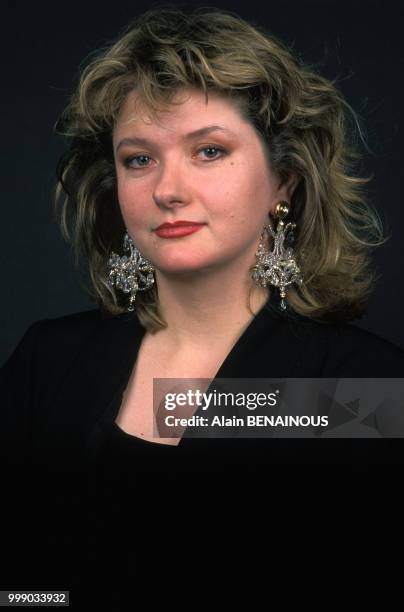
{"points": [[359, 43]]}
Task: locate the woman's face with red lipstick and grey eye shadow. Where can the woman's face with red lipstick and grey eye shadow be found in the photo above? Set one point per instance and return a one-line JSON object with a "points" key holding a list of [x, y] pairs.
{"points": [[219, 178]]}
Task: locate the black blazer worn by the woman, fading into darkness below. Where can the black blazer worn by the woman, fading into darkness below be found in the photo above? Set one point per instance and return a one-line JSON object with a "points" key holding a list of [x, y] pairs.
{"points": [[68, 503]]}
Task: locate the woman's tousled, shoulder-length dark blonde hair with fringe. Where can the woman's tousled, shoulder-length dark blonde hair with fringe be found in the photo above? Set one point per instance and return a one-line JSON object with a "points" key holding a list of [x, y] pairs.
{"points": [[303, 120]]}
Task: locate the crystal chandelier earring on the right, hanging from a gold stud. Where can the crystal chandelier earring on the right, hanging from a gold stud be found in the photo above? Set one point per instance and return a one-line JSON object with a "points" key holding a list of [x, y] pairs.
{"points": [[277, 267]]}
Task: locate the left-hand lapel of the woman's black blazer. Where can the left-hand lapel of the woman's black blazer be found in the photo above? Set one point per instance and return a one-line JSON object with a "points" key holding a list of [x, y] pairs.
{"points": [[70, 425]]}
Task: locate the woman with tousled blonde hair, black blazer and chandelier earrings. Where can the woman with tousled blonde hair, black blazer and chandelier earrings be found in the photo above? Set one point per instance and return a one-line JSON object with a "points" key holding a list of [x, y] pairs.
{"points": [[210, 187]]}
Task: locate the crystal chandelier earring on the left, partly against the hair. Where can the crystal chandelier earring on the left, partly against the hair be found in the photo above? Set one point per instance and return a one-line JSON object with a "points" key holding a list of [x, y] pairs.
{"points": [[130, 274]]}
